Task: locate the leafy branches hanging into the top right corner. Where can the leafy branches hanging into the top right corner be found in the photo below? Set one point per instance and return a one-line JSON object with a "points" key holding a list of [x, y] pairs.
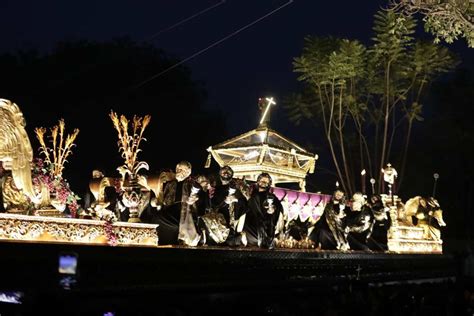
{"points": [[445, 19]]}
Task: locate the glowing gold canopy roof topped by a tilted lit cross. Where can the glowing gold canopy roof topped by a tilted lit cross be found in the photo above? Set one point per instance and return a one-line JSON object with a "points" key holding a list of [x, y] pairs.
{"points": [[265, 150]]}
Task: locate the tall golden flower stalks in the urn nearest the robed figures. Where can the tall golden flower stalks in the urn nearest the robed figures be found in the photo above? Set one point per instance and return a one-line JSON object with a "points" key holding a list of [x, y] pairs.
{"points": [[129, 143]]}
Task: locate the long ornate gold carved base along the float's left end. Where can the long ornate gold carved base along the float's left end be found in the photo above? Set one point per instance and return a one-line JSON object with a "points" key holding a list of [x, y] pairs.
{"points": [[15, 227]]}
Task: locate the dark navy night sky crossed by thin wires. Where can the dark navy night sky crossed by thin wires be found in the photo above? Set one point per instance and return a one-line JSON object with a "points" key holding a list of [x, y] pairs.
{"points": [[256, 62]]}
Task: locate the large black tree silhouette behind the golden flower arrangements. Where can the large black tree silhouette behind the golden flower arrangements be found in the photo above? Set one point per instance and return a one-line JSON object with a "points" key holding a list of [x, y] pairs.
{"points": [[82, 81]]}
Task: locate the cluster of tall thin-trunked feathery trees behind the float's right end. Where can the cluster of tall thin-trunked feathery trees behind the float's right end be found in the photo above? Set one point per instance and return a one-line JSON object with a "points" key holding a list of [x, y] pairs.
{"points": [[366, 97]]}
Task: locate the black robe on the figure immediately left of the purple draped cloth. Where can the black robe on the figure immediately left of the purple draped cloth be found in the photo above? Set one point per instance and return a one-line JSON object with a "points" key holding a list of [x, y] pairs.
{"points": [[260, 226]]}
